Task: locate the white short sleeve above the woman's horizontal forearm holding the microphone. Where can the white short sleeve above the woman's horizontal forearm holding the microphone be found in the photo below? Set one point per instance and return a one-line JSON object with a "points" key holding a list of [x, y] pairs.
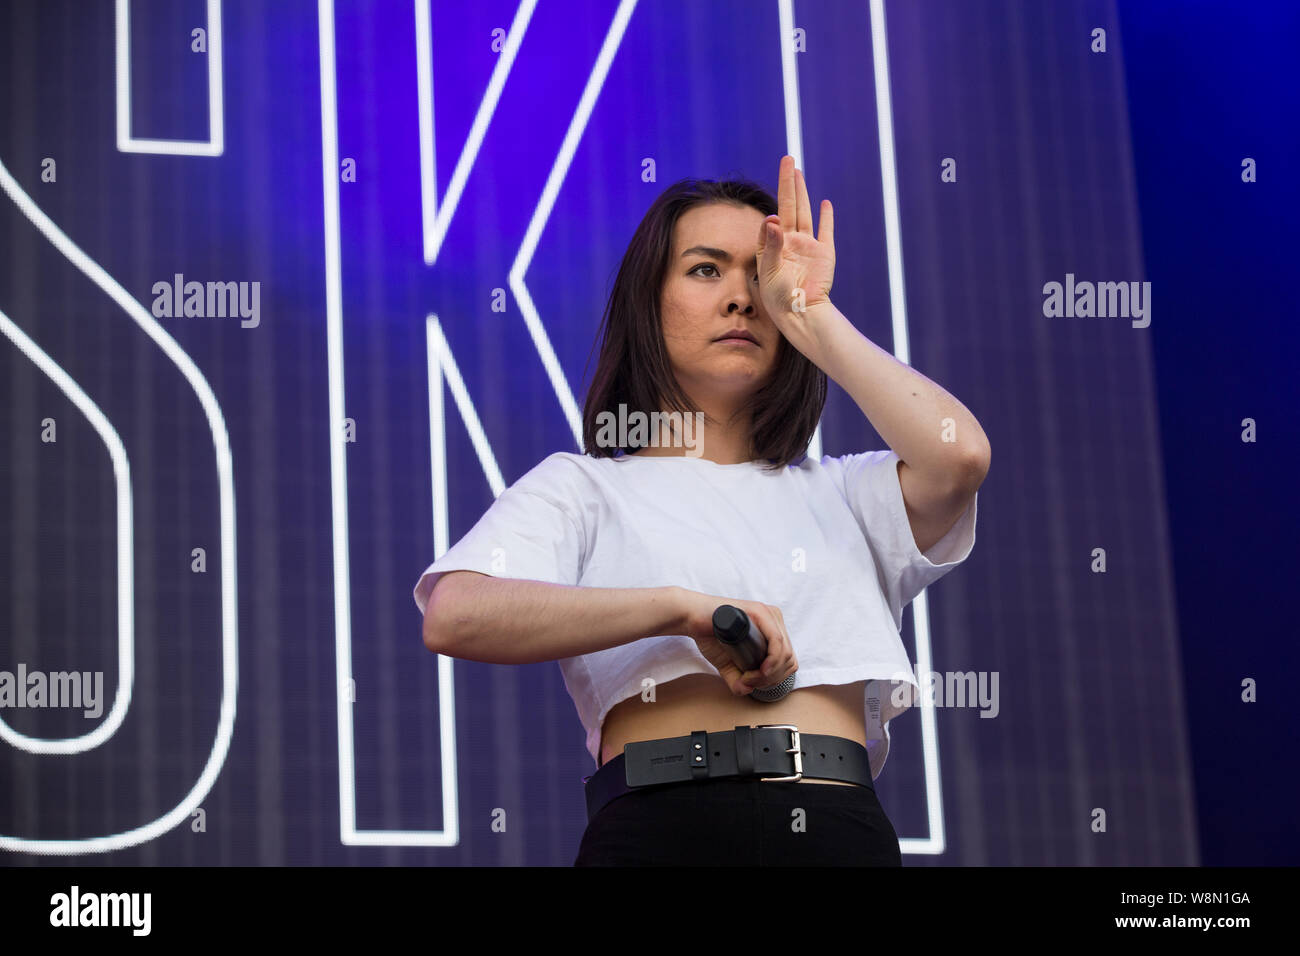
{"points": [[526, 534]]}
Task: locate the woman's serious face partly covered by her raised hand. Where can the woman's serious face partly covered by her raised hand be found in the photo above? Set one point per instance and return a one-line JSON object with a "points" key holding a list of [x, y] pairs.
{"points": [[710, 289]]}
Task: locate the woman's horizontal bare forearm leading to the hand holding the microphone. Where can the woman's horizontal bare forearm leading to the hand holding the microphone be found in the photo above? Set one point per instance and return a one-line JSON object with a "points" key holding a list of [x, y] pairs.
{"points": [[510, 621]]}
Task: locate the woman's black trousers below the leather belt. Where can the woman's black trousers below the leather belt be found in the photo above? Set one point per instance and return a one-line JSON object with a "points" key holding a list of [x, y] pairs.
{"points": [[742, 823]]}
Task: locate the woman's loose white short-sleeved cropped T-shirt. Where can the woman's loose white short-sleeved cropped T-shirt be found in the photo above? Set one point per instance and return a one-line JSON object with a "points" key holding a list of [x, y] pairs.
{"points": [[829, 543]]}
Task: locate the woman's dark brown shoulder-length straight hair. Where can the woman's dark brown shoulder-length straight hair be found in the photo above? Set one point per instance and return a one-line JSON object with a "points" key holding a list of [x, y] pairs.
{"points": [[634, 369]]}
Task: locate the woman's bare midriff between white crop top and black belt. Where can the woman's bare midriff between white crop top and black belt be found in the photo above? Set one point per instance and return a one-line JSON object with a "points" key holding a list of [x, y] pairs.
{"points": [[704, 702]]}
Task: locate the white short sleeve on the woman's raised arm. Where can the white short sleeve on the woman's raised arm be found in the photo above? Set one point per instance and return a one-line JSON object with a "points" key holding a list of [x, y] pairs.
{"points": [[876, 498]]}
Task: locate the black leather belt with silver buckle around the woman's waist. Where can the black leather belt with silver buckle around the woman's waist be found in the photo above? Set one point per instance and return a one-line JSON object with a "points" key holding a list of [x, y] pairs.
{"points": [[774, 752]]}
